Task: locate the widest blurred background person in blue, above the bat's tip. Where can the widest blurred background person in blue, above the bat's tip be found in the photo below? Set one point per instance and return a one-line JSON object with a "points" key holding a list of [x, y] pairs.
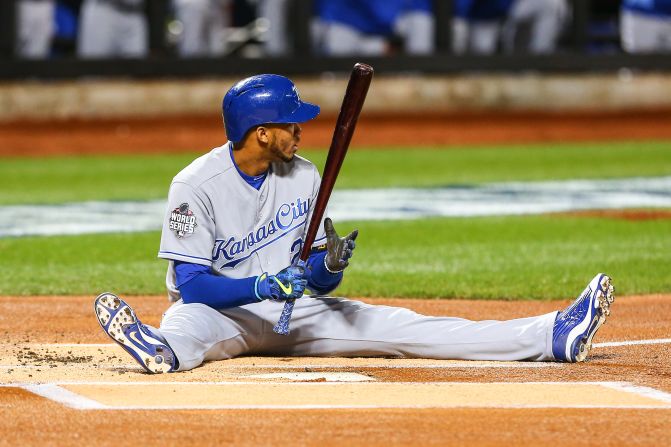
{"points": [[368, 27]]}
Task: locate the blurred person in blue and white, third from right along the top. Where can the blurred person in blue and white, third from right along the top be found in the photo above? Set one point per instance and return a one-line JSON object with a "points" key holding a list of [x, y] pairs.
{"points": [[477, 25]]}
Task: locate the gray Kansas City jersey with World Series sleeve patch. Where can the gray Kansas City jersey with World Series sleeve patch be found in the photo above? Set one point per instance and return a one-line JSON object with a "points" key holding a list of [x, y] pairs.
{"points": [[215, 218]]}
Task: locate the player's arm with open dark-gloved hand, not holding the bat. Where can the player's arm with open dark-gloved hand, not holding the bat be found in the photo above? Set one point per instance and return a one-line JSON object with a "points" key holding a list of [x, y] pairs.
{"points": [[326, 262]]}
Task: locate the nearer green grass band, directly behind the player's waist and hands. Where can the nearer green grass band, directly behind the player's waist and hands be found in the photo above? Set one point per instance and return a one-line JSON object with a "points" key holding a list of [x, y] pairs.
{"points": [[539, 257]]}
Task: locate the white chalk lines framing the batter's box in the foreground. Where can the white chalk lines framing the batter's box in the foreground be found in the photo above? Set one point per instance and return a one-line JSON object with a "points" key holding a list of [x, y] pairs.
{"points": [[55, 392]]}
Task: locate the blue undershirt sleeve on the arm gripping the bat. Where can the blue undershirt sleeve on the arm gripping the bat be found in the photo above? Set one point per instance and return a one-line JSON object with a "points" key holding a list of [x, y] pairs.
{"points": [[197, 284]]}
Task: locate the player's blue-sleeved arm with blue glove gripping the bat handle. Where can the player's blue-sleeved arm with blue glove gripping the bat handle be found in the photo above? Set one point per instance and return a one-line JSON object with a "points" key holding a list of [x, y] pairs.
{"points": [[197, 284]]}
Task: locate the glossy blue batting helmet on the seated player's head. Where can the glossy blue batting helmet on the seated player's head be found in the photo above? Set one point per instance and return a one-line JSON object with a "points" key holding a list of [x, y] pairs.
{"points": [[263, 99]]}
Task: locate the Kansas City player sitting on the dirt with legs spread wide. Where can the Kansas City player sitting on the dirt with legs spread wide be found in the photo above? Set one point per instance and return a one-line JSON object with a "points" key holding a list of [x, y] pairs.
{"points": [[232, 235]]}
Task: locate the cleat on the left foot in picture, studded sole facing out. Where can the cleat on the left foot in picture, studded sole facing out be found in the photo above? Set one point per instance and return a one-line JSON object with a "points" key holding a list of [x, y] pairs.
{"points": [[119, 322]]}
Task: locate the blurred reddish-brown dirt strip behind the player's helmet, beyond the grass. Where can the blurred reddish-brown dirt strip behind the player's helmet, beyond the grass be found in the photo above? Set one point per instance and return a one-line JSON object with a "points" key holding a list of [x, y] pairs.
{"points": [[199, 133]]}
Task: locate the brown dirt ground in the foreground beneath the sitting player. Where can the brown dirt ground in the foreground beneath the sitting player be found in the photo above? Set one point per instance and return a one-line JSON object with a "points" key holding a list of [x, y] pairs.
{"points": [[53, 341]]}
